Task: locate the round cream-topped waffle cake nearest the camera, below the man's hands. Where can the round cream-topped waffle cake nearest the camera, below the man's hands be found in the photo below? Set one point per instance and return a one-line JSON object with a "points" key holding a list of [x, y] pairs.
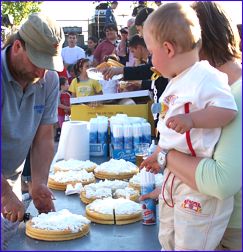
{"points": [[57, 226]]}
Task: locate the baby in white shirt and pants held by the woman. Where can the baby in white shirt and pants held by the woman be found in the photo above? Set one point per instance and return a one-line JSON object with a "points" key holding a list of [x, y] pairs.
{"points": [[197, 101]]}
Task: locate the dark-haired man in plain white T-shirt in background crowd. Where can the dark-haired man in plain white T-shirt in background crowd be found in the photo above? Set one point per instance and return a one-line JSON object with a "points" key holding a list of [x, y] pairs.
{"points": [[72, 53]]}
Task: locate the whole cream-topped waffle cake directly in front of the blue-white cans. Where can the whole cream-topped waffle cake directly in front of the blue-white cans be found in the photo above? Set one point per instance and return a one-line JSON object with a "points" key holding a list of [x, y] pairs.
{"points": [[116, 169]]}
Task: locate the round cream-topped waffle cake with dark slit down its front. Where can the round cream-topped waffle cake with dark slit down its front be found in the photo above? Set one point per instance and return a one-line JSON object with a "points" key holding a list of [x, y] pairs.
{"points": [[114, 211]]}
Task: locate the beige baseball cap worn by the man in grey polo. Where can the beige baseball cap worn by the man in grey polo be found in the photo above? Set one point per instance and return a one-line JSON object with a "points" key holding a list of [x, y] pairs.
{"points": [[43, 39]]}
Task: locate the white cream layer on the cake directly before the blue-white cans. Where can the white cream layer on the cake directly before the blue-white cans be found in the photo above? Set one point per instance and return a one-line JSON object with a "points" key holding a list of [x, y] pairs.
{"points": [[116, 167]]}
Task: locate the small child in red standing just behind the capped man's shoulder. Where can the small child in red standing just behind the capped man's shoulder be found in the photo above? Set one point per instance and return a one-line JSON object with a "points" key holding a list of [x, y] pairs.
{"points": [[64, 100]]}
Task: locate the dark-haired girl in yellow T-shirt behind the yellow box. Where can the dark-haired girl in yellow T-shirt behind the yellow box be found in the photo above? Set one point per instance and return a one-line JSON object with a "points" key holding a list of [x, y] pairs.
{"points": [[82, 85]]}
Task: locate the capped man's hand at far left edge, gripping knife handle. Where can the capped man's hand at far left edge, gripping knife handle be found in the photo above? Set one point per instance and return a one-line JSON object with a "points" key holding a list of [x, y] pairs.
{"points": [[11, 207]]}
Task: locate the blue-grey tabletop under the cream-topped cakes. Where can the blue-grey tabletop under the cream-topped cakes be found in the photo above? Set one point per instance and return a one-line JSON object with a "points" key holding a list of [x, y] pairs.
{"points": [[135, 236]]}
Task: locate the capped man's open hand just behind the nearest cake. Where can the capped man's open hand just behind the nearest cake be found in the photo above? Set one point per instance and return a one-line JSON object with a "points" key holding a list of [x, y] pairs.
{"points": [[42, 198]]}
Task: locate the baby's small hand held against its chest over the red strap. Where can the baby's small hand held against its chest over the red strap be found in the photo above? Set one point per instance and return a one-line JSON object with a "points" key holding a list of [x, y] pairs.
{"points": [[180, 123]]}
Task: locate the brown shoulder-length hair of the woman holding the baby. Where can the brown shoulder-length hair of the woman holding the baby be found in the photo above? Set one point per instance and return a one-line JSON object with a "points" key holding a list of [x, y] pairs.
{"points": [[220, 38]]}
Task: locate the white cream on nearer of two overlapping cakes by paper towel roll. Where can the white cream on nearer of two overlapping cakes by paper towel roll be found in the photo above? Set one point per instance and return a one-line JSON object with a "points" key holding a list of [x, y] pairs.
{"points": [[80, 176]]}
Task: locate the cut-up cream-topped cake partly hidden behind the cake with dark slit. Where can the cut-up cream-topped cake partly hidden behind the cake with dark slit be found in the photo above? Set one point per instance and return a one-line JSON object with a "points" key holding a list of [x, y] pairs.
{"points": [[106, 189]]}
